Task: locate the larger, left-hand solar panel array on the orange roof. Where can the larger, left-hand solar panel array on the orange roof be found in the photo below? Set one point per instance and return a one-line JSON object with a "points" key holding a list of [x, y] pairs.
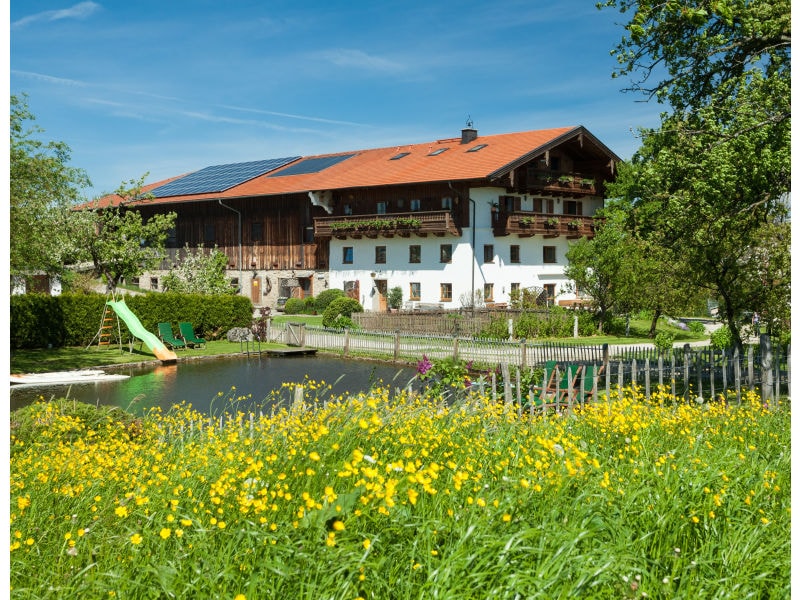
{"points": [[219, 178]]}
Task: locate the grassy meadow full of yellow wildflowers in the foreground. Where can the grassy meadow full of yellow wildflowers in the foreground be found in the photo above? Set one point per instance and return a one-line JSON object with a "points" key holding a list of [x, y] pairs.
{"points": [[385, 496]]}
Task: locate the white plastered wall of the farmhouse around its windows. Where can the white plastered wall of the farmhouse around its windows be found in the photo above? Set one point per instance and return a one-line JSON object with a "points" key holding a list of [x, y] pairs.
{"points": [[464, 266]]}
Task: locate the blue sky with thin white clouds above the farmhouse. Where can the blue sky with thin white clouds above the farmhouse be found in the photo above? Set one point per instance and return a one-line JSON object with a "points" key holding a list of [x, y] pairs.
{"points": [[171, 86]]}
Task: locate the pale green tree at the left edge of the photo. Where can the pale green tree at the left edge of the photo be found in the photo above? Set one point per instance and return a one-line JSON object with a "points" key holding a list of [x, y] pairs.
{"points": [[43, 190]]}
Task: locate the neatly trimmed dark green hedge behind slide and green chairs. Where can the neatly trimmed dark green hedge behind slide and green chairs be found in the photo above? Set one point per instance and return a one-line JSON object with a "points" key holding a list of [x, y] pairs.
{"points": [[39, 321]]}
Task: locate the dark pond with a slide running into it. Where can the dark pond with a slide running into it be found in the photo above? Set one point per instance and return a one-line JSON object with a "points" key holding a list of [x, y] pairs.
{"points": [[210, 384]]}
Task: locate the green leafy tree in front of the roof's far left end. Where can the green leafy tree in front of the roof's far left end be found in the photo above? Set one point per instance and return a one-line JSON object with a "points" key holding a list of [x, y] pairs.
{"points": [[118, 241]]}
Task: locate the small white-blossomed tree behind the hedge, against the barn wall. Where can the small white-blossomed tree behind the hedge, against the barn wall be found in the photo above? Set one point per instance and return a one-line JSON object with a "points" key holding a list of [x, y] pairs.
{"points": [[199, 271]]}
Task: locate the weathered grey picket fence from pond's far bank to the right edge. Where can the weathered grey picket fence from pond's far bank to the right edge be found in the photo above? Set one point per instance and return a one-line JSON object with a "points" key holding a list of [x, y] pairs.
{"points": [[687, 371]]}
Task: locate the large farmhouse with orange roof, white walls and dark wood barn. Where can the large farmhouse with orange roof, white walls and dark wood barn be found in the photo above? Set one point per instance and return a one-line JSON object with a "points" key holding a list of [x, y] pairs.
{"points": [[439, 219]]}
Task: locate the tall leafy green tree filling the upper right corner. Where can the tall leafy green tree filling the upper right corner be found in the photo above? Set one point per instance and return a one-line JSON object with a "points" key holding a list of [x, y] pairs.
{"points": [[708, 187]]}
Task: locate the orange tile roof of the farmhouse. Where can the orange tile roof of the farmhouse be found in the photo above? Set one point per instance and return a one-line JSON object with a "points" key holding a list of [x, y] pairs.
{"points": [[374, 168]]}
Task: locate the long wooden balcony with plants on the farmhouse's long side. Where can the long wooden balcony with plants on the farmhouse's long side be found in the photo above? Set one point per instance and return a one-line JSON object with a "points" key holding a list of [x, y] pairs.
{"points": [[422, 224]]}
